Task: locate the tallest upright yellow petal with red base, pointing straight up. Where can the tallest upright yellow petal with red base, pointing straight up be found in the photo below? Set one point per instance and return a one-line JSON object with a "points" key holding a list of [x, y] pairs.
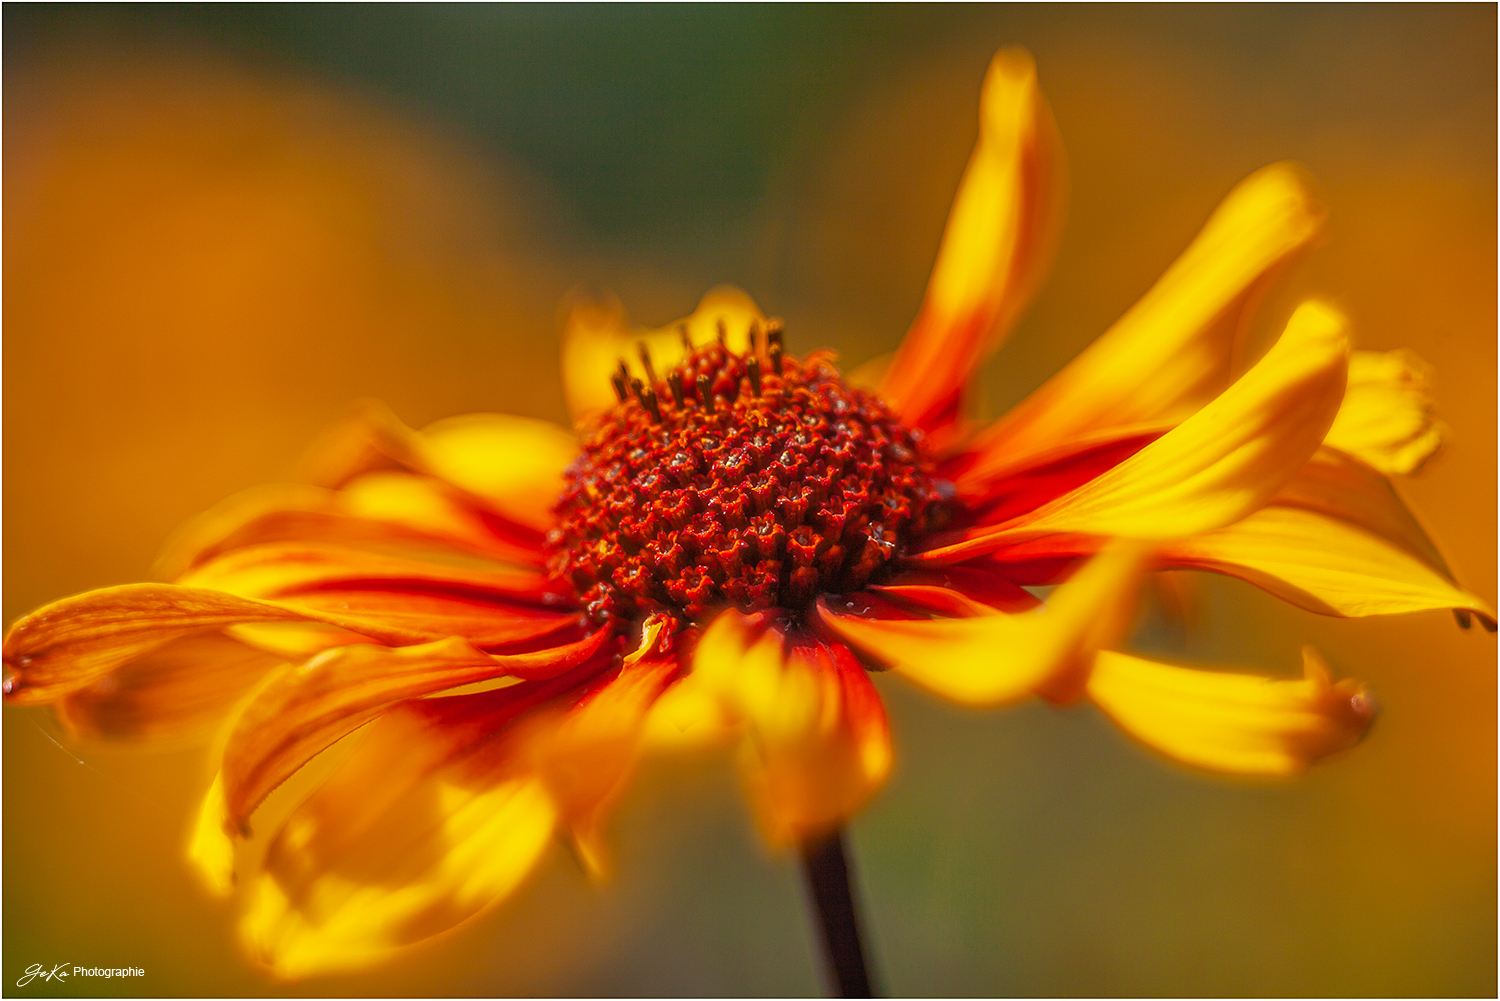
{"points": [[998, 244]]}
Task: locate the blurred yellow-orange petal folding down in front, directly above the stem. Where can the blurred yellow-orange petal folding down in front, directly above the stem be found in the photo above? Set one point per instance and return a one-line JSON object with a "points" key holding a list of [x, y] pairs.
{"points": [[818, 742]]}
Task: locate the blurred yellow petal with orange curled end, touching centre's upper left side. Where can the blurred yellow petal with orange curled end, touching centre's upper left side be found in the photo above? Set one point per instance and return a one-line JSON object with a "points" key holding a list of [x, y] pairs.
{"points": [[509, 466]]}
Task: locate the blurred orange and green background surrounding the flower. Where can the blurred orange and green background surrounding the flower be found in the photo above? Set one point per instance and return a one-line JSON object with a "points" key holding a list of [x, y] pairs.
{"points": [[223, 224]]}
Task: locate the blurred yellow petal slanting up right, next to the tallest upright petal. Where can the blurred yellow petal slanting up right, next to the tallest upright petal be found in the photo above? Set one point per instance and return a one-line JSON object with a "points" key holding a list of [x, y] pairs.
{"points": [[1172, 350]]}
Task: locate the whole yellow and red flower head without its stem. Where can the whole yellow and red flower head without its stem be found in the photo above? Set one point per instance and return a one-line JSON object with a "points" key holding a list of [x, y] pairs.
{"points": [[512, 615]]}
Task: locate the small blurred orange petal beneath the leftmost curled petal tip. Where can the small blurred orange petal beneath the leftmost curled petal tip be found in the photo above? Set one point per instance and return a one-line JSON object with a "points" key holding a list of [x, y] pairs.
{"points": [[178, 693]]}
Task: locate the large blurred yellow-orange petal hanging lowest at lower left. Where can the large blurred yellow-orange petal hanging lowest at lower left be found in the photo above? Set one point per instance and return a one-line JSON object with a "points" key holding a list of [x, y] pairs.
{"points": [[440, 811]]}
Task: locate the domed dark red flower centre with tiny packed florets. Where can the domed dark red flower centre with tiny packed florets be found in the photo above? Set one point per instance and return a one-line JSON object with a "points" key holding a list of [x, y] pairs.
{"points": [[737, 481]]}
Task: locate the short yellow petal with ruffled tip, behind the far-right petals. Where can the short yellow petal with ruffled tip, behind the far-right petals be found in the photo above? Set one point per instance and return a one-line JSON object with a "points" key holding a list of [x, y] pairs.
{"points": [[1387, 418]]}
